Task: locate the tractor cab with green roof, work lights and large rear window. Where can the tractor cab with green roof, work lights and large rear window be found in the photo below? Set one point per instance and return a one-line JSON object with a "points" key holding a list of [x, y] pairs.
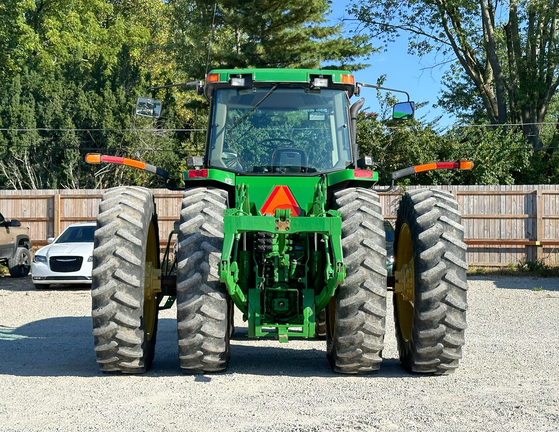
{"points": [[298, 124]]}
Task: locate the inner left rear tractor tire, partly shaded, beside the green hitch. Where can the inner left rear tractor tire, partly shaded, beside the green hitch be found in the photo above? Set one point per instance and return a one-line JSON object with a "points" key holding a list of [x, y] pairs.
{"points": [[203, 305]]}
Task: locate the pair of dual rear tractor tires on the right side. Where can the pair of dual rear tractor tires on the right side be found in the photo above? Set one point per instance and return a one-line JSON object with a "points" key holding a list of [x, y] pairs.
{"points": [[430, 297]]}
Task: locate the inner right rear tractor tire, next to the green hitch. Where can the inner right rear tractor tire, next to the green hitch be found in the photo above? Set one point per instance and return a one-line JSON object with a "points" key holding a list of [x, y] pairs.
{"points": [[356, 317]]}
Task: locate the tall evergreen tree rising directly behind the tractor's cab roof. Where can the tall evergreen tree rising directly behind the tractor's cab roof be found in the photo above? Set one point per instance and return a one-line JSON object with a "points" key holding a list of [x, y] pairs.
{"points": [[267, 33]]}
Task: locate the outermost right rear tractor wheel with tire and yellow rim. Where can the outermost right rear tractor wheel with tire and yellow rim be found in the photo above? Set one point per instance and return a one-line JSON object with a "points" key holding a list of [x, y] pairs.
{"points": [[431, 318]]}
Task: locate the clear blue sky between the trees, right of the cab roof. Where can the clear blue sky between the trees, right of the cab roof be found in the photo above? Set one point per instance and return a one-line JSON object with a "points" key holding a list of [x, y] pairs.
{"points": [[403, 71]]}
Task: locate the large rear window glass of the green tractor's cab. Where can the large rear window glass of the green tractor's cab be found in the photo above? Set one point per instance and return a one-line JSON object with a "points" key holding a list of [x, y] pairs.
{"points": [[280, 130]]}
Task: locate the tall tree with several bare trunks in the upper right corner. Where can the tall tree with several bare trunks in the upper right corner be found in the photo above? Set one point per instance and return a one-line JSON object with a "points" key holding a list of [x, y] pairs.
{"points": [[507, 51]]}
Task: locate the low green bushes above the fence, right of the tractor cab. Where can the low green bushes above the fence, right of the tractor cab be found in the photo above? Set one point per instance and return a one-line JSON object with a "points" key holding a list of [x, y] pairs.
{"points": [[500, 156]]}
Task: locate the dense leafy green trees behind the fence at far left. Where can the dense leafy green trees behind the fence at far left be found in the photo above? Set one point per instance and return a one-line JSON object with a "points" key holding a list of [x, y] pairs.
{"points": [[75, 92]]}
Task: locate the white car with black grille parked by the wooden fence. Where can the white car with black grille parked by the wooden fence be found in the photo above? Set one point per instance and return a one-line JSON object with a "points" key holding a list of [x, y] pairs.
{"points": [[68, 259]]}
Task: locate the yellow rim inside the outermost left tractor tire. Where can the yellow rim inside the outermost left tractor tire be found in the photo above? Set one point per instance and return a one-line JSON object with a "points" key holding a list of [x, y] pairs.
{"points": [[152, 284]]}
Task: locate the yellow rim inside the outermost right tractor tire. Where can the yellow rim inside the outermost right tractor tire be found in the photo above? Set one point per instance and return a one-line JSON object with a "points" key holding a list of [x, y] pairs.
{"points": [[405, 283]]}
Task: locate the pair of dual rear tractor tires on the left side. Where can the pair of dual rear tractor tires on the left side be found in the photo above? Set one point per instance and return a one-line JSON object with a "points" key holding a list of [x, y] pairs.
{"points": [[125, 282]]}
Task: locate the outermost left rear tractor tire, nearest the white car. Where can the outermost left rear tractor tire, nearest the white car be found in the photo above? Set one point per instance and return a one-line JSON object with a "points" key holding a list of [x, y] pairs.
{"points": [[124, 303]]}
